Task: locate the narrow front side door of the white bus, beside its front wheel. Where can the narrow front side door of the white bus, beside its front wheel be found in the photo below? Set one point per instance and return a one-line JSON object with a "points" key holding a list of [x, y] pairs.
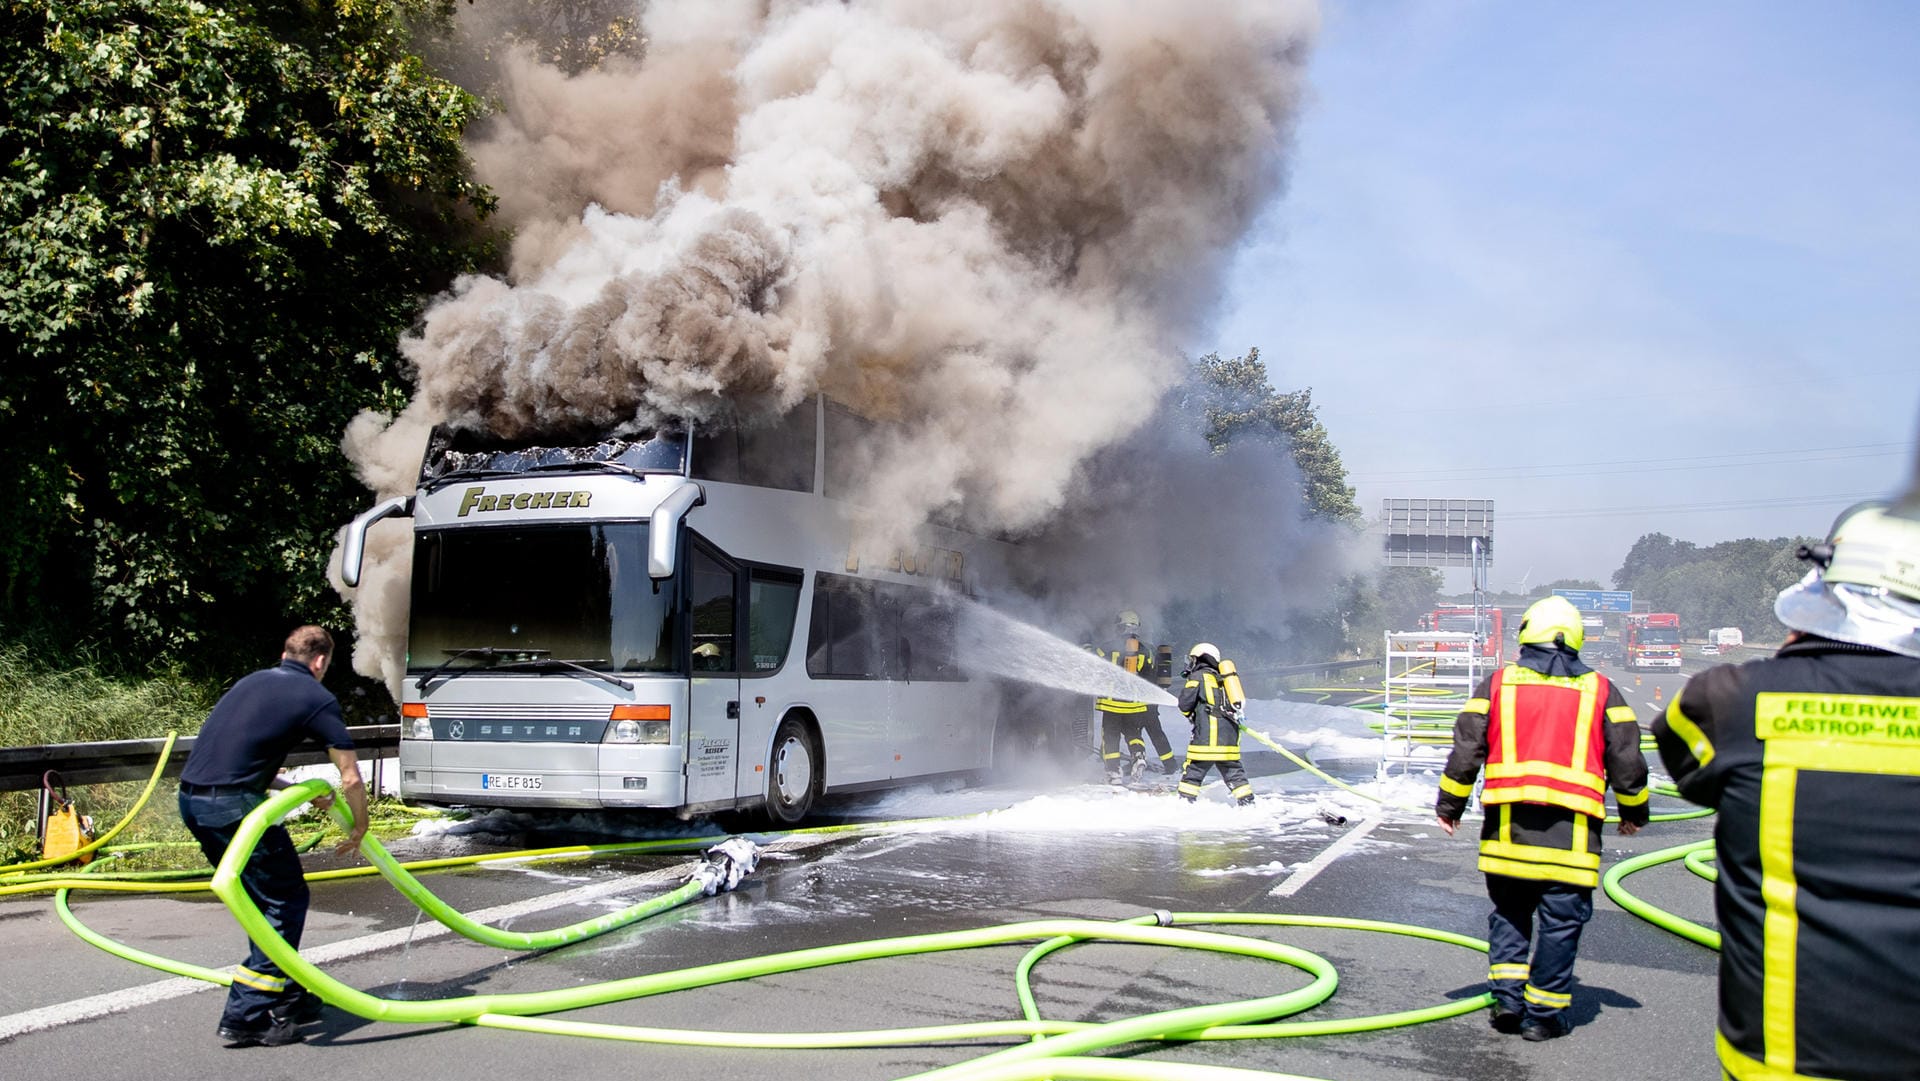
{"points": [[713, 698]]}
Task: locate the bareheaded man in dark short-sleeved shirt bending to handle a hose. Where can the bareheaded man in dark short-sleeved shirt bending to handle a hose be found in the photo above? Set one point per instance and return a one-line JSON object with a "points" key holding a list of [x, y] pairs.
{"points": [[237, 757]]}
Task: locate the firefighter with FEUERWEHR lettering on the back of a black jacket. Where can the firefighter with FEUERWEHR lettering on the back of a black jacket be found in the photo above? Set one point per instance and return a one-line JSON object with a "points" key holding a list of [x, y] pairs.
{"points": [[1813, 761]]}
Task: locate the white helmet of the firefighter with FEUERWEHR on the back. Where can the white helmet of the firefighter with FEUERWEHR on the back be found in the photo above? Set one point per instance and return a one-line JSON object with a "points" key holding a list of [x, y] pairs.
{"points": [[1865, 585]]}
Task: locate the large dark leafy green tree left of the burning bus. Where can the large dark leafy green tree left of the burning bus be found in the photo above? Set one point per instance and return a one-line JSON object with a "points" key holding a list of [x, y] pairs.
{"points": [[218, 226]]}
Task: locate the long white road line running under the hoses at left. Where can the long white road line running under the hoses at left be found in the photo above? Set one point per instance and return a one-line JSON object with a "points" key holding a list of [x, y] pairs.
{"points": [[180, 986]]}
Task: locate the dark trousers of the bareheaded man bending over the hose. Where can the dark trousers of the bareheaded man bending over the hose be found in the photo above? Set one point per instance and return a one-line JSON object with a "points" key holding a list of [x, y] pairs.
{"points": [[274, 880]]}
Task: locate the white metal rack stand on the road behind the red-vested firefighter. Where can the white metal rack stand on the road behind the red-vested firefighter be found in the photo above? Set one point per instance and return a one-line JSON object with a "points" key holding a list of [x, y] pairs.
{"points": [[1429, 679]]}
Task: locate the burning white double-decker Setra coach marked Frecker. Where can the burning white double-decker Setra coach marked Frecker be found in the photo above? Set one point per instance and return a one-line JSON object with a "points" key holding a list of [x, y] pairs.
{"points": [[679, 625]]}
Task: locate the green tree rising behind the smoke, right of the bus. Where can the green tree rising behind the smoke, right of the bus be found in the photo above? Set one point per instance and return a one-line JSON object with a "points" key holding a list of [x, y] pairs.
{"points": [[1241, 404]]}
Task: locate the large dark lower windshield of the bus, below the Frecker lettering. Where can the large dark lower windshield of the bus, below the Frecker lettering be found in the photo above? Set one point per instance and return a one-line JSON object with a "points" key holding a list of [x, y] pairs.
{"points": [[575, 592]]}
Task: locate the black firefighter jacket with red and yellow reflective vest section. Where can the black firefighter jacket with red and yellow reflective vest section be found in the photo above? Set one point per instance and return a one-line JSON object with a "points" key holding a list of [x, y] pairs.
{"points": [[1552, 744]]}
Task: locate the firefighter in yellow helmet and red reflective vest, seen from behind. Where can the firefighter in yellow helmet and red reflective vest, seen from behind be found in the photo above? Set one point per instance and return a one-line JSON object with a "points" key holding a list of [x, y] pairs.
{"points": [[1554, 736]]}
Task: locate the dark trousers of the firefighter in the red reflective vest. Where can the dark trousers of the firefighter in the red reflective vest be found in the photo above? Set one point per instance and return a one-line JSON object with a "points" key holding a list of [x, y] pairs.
{"points": [[1543, 986]]}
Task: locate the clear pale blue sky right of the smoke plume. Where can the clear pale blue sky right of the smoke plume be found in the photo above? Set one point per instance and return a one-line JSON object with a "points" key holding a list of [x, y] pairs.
{"points": [[1623, 270]]}
